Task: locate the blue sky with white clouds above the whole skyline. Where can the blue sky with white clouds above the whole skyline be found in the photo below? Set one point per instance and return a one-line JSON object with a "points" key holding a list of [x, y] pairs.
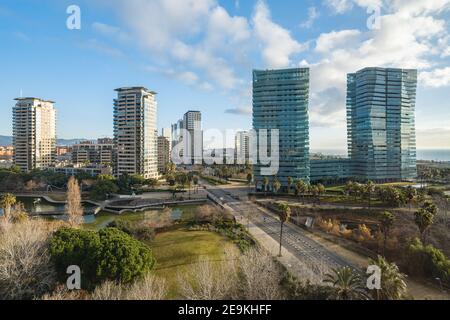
{"points": [[199, 54]]}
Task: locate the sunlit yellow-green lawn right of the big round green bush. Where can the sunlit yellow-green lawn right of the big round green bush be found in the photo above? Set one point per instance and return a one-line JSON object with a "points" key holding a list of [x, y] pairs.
{"points": [[176, 251]]}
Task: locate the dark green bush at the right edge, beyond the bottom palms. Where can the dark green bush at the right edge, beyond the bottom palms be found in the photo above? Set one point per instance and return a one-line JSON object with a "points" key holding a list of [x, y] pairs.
{"points": [[428, 261]]}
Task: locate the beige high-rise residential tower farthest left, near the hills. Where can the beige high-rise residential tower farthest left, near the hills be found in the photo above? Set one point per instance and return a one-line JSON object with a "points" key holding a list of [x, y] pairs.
{"points": [[34, 133]]}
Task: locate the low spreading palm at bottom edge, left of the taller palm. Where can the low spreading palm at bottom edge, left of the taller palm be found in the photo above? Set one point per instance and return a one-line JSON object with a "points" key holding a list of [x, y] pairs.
{"points": [[347, 283]]}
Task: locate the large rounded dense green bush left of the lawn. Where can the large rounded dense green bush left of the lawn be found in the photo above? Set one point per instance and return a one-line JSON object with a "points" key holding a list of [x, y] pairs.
{"points": [[109, 254]]}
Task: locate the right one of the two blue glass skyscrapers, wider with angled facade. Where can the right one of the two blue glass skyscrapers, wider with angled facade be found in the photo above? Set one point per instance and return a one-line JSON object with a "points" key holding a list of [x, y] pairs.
{"points": [[381, 123]]}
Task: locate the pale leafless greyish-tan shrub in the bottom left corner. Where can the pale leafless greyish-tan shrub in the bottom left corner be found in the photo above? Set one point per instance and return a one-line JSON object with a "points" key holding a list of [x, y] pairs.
{"points": [[26, 271]]}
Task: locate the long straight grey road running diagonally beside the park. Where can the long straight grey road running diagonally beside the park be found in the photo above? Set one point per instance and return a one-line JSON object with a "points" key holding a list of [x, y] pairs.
{"points": [[295, 240]]}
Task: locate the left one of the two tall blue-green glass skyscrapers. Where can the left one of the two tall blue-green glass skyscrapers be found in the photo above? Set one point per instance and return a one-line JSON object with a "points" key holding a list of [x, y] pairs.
{"points": [[280, 101]]}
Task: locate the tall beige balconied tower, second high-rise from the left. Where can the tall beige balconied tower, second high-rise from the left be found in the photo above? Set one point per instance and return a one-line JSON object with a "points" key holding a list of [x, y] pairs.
{"points": [[135, 132]]}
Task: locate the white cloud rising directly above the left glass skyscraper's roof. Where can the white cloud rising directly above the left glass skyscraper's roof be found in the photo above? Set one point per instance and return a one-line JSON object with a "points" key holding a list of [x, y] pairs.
{"points": [[277, 42]]}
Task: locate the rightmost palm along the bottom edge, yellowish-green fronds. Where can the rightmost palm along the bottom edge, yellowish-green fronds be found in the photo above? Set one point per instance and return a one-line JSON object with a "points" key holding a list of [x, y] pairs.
{"points": [[393, 286]]}
